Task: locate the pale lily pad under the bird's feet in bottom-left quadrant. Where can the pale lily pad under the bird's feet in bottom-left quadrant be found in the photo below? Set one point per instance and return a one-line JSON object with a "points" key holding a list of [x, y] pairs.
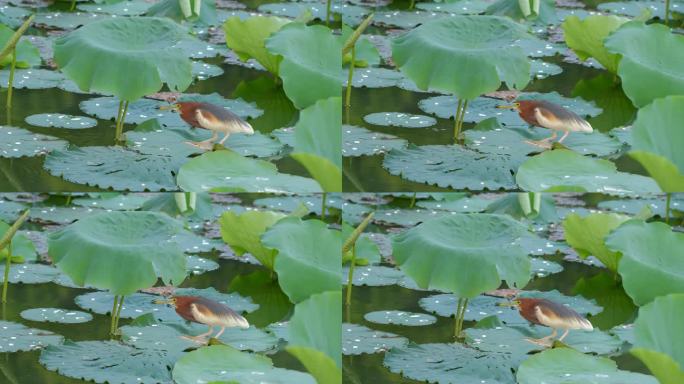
{"points": [[169, 337]]}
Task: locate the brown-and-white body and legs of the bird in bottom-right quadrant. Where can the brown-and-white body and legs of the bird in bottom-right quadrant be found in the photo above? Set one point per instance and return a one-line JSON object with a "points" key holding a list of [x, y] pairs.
{"points": [[551, 314]]}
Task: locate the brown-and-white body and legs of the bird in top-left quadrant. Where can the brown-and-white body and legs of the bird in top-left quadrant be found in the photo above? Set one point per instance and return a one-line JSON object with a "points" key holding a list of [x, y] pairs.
{"points": [[214, 118]]}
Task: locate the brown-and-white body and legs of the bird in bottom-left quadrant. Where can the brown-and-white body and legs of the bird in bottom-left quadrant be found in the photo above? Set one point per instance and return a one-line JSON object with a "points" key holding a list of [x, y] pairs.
{"points": [[204, 311]]}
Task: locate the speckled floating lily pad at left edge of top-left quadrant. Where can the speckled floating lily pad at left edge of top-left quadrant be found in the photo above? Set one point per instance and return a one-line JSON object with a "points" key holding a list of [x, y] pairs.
{"points": [[18, 142]]}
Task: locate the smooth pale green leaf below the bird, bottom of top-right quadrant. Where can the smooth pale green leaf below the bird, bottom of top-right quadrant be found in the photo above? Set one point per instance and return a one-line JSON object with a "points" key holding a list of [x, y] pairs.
{"points": [[567, 171]]}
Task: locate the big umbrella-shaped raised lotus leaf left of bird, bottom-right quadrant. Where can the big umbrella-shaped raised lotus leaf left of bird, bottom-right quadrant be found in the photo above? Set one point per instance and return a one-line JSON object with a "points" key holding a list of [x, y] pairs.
{"points": [[466, 254]]}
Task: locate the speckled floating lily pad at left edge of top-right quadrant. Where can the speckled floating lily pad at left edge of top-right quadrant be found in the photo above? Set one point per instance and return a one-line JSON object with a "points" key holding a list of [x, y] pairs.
{"points": [[358, 141]]}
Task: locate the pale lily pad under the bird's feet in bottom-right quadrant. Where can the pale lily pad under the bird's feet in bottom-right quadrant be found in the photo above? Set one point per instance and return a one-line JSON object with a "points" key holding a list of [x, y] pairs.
{"points": [[512, 340]]}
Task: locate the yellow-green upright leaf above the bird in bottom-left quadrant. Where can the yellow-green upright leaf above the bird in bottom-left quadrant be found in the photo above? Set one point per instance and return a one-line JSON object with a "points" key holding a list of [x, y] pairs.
{"points": [[243, 233]]}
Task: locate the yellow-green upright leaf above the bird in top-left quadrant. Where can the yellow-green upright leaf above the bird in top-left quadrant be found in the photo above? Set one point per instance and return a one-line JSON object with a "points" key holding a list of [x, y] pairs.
{"points": [[247, 38]]}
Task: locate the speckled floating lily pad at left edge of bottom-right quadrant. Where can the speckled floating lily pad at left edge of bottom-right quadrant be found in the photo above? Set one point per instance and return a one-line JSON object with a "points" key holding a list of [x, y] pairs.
{"points": [[357, 340]]}
